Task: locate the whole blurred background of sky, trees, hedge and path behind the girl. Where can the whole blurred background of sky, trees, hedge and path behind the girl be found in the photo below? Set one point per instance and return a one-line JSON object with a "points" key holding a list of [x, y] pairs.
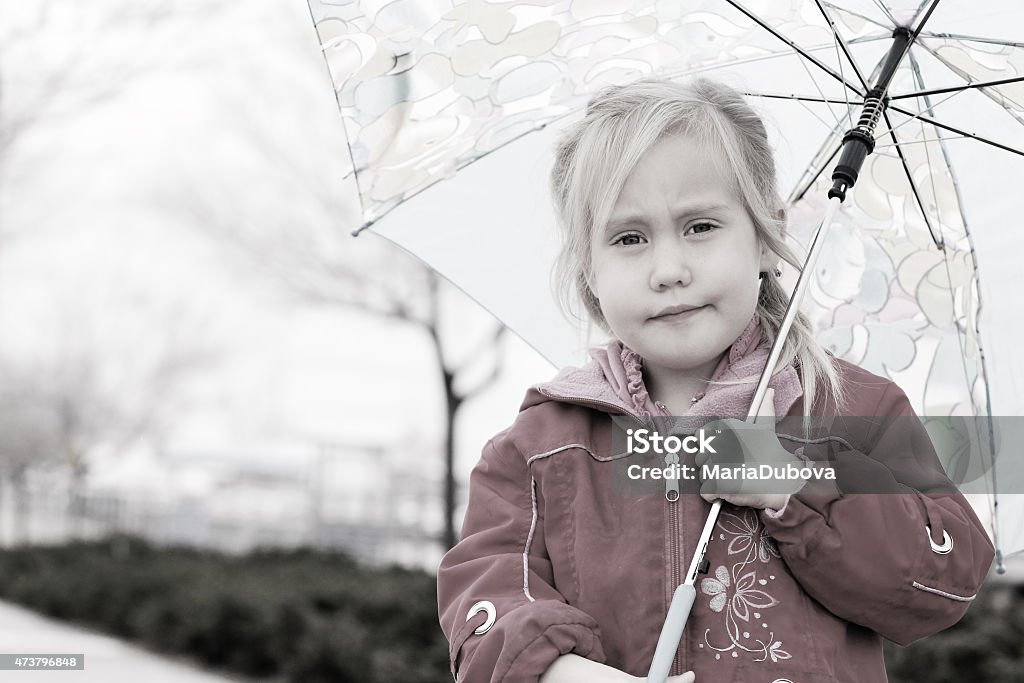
{"points": [[230, 433]]}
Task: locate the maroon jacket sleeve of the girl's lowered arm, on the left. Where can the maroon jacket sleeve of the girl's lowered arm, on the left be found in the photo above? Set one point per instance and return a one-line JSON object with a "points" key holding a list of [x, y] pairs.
{"points": [[502, 562]]}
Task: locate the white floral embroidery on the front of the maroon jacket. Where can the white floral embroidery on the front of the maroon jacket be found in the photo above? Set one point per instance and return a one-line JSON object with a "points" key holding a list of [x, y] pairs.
{"points": [[738, 591]]}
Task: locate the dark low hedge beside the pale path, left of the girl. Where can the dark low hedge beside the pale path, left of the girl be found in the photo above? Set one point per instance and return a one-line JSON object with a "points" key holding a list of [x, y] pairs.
{"points": [[300, 615]]}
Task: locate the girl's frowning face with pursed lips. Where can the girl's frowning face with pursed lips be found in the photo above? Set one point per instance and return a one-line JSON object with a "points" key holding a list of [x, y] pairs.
{"points": [[676, 269]]}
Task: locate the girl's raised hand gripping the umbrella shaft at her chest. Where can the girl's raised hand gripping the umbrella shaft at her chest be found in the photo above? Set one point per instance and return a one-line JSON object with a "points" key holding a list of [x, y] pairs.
{"points": [[743, 446]]}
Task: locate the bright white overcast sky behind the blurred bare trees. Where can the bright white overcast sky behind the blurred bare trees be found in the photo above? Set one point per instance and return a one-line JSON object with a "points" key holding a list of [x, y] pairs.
{"points": [[98, 262]]}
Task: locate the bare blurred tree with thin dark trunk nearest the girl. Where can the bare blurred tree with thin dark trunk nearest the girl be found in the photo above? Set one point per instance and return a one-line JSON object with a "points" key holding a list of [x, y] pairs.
{"points": [[282, 199]]}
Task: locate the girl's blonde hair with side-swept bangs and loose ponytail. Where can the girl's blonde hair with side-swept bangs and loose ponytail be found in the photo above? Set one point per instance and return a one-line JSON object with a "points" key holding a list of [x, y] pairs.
{"points": [[596, 155]]}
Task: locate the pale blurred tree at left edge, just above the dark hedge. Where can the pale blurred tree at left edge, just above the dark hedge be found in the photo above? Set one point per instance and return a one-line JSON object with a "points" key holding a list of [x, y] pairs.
{"points": [[95, 383]]}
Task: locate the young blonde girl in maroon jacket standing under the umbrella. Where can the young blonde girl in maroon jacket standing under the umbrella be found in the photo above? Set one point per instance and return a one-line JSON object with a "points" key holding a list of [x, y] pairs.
{"points": [[674, 231]]}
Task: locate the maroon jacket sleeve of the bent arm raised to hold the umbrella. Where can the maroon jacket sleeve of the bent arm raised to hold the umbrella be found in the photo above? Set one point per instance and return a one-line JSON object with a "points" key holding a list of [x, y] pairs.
{"points": [[864, 549]]}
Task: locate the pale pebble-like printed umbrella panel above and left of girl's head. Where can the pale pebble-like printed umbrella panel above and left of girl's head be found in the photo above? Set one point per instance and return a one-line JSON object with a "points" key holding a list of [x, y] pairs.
{"points": [[428, 89]]}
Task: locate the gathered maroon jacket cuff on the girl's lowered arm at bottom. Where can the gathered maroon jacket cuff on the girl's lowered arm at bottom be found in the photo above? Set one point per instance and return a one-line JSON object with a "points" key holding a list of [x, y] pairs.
{"points": [[524, 644]]}
